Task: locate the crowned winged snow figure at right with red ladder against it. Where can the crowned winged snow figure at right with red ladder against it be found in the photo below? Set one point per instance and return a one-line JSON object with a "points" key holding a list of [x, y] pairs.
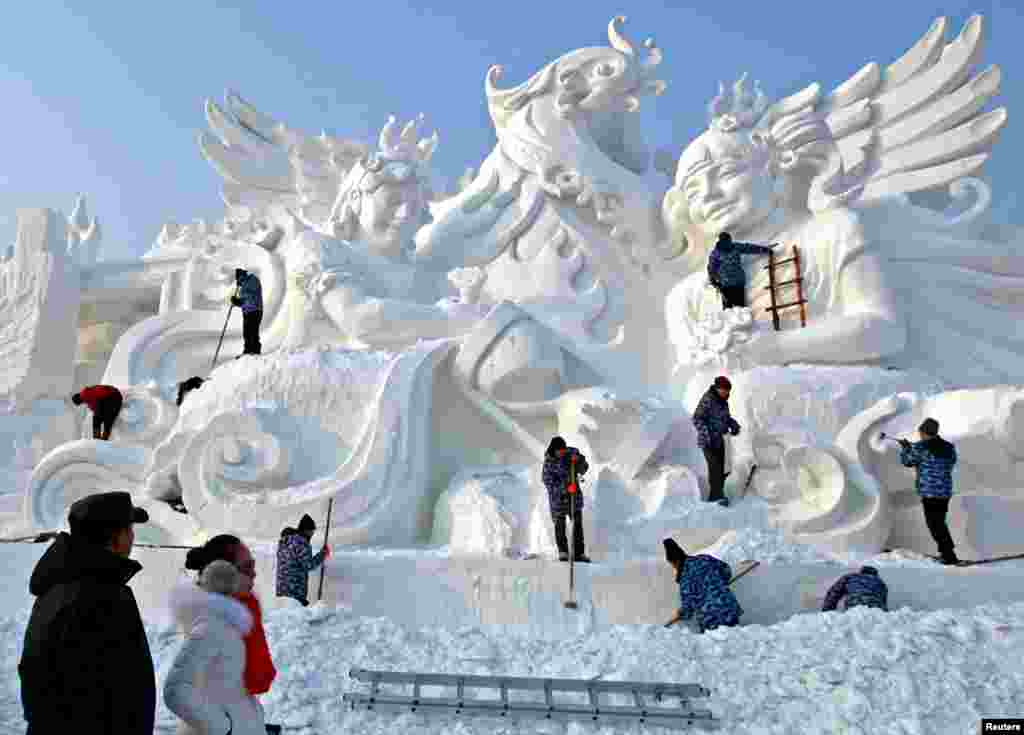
{"points": [[832, 175]]}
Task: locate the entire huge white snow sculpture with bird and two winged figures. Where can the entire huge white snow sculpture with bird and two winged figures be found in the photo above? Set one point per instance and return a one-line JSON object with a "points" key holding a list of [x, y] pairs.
{"points": [[561, 292]]}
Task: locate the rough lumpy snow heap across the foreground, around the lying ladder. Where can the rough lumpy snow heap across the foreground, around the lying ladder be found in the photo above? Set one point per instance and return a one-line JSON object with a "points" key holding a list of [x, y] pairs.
{"points": [[861, 673]]}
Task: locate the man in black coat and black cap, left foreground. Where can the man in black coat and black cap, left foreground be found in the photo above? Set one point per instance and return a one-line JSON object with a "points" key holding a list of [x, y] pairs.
{"points": [[87, 665]]}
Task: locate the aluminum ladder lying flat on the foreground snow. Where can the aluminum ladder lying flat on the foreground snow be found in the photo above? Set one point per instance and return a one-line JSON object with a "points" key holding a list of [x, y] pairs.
{"points": [[501, 706]]}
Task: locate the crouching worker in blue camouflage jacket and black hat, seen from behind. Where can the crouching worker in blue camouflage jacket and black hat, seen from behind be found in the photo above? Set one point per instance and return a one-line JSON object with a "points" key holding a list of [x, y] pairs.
{"points": [[704, 589]]}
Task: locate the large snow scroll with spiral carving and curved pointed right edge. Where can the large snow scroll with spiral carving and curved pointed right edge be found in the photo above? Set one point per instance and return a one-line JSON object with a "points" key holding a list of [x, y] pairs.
{"points": [[248, 466]]}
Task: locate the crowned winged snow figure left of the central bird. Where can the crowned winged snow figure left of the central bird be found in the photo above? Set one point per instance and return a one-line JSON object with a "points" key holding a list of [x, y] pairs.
{"points": [[351, 262]]}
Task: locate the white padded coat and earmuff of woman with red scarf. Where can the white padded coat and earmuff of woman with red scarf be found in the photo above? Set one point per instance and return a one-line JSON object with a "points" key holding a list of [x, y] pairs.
{"points": [[204, 686]]}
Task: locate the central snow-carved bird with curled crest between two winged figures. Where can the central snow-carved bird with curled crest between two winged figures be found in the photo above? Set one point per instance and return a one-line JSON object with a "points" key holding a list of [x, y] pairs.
{"points": [[560, 215]]}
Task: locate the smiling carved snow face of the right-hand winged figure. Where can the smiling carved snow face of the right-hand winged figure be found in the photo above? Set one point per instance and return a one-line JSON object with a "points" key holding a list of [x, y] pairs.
{"points": [[727, 184]]}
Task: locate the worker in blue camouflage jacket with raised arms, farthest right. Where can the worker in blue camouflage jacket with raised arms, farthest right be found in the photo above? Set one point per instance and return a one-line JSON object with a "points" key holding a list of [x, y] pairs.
{"points": [[935, 459]]}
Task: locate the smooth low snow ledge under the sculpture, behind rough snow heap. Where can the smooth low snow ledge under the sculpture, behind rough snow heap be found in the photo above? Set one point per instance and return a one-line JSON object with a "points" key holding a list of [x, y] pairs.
{"points": [[454, 592]]}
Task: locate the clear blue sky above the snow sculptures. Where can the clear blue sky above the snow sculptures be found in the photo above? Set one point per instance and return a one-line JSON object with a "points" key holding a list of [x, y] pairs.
{"points": [[106, 99]]}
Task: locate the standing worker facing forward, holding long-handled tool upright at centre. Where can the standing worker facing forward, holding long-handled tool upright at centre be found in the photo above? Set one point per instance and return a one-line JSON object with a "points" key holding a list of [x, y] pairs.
{"points": [[564, 468]]}
